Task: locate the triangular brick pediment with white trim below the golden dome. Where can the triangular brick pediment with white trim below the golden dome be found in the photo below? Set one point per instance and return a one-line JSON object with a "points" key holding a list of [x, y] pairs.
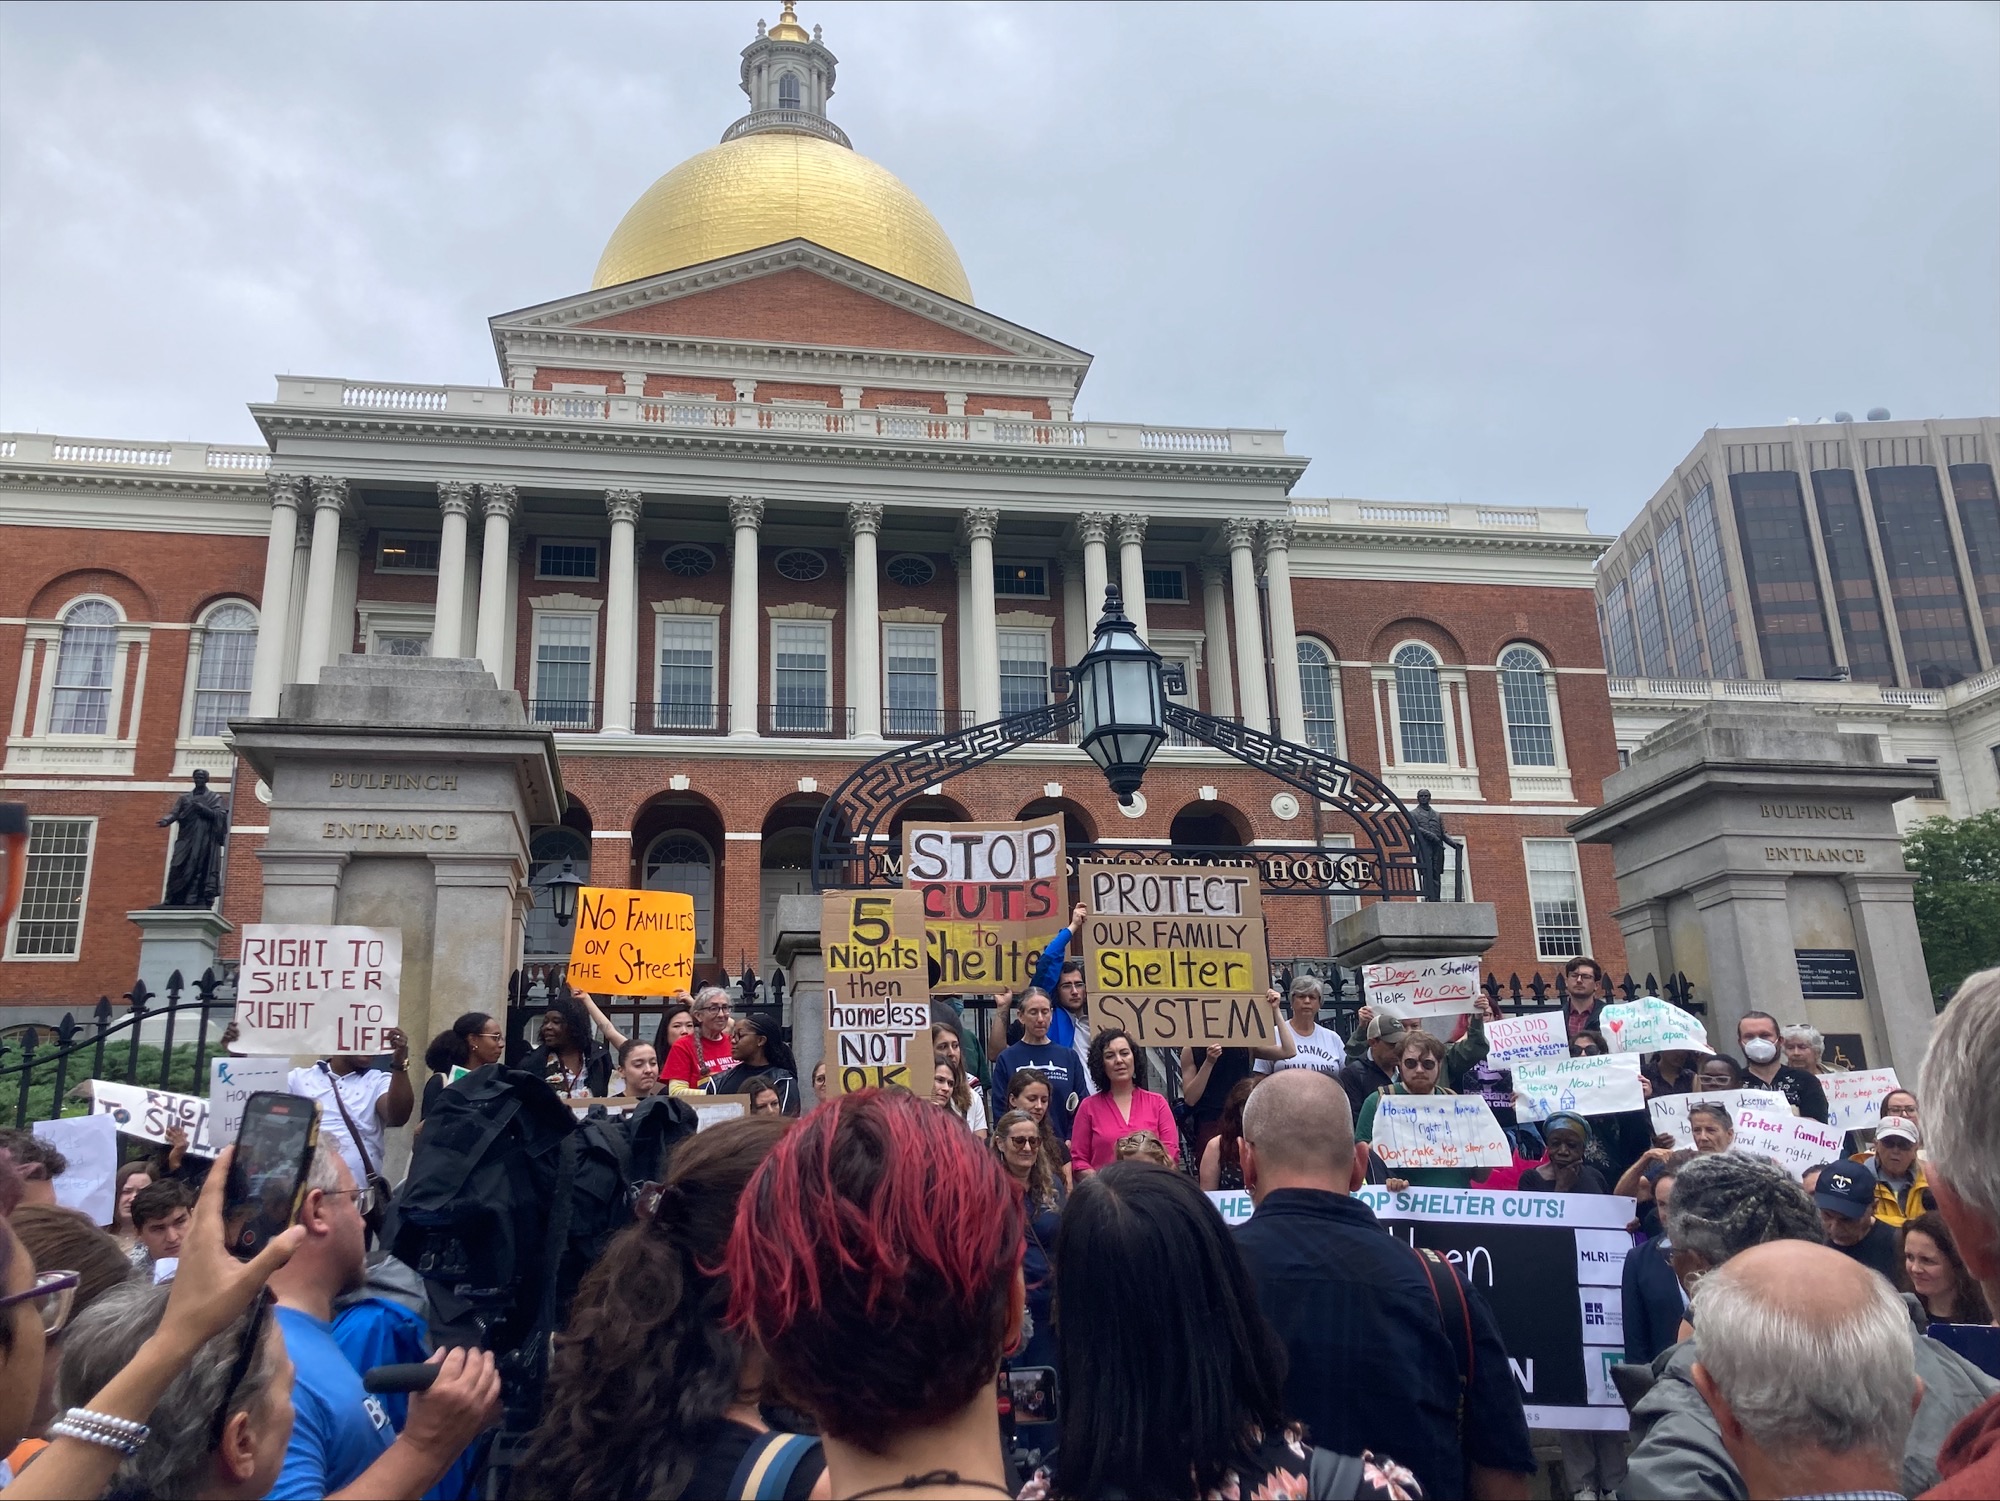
{"points": [[789, 295]]}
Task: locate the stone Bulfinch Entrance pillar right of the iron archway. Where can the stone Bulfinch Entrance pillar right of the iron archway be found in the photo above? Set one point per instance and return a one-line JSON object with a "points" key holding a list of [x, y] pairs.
{"points": [[1757, 852]]}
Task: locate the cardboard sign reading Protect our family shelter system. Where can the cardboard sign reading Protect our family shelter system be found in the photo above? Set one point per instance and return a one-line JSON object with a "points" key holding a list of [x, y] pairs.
{"points": [[1175, 954]]}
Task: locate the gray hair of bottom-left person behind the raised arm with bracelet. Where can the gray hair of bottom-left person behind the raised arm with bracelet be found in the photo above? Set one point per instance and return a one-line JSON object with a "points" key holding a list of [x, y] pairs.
{"points": [[105, 1340]]}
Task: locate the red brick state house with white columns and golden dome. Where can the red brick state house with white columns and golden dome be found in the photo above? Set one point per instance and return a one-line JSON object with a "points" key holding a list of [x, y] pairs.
{"points": [[769, 497]]}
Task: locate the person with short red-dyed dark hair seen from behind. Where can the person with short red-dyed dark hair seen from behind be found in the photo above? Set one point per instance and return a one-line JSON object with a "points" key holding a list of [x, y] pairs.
{"points": [[877, 1264]]}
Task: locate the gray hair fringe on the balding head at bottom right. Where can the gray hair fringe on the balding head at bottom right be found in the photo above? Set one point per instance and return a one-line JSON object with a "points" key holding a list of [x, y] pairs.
{"points": [[1797, 1372]]}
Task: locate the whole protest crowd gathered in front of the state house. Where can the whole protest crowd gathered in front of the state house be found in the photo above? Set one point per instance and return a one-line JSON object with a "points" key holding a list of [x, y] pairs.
{"points": [[1055, 1262]]}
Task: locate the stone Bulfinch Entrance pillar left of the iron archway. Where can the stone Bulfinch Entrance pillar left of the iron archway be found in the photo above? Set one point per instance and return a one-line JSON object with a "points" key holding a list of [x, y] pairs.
{"points": [[403, 794]]}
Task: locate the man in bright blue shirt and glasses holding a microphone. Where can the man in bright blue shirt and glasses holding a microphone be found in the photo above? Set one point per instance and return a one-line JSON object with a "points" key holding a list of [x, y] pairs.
{"points": [[341, 1436]]}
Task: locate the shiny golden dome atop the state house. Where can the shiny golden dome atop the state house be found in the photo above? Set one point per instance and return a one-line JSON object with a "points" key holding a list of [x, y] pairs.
{"points": [[773, 187]]}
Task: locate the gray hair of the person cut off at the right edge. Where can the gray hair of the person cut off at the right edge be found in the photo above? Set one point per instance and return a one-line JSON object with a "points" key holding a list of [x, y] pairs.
{"points": [[1961, 1118]]}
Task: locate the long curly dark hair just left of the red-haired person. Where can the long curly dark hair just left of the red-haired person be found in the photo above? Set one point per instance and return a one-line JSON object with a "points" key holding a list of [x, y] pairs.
{"points": [[647, 1364]]}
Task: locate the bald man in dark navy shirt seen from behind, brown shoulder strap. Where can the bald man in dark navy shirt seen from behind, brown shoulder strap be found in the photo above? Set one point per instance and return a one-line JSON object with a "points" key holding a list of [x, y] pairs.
{"points": [[1371, 1360]]}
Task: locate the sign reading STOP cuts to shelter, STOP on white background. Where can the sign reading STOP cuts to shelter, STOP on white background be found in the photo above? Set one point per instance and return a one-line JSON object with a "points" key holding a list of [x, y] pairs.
{"points": [[995, 894]]}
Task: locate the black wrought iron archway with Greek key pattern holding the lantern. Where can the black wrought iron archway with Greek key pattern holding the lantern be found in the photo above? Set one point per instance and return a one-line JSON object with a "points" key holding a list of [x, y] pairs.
{"points": [[853, 846]]}
